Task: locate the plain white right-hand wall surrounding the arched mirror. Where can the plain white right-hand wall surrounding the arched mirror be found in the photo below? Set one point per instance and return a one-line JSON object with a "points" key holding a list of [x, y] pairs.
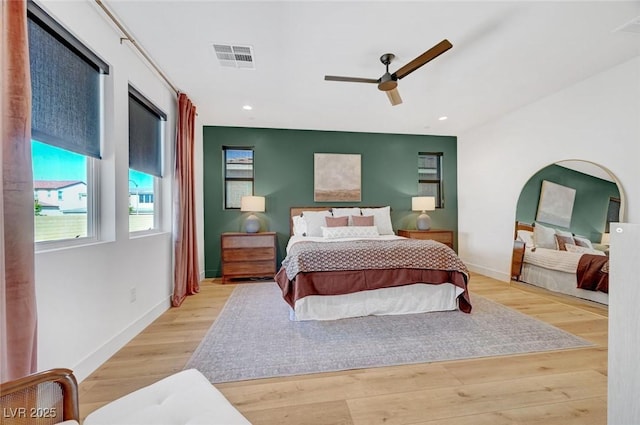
{"points": [[597, 120]]}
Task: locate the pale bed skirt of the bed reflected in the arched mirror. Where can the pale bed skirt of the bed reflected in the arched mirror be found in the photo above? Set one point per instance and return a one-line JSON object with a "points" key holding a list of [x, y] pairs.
{"points": [[559, 281]]}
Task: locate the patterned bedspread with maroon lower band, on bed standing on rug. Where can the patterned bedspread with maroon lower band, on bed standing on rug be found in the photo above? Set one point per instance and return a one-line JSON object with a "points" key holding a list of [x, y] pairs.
{"points": [[334, 268]]}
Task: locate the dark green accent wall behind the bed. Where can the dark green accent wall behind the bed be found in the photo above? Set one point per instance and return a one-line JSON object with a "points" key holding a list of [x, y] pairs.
{"points": [[283, 168]]}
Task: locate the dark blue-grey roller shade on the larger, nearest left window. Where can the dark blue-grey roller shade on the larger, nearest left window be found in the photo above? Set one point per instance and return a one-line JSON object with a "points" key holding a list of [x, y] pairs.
{"points": [[65, 87]]}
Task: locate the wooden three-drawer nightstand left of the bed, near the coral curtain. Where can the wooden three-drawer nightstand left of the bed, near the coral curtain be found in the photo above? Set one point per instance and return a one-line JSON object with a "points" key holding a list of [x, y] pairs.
{"points": [[247, 255]]}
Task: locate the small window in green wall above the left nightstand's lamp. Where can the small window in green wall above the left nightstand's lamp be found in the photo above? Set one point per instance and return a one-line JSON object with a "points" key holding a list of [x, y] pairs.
{"points": [[238, 175]]}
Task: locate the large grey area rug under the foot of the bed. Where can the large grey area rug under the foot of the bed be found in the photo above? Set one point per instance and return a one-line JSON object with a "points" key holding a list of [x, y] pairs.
{"points": [[253, 338]]}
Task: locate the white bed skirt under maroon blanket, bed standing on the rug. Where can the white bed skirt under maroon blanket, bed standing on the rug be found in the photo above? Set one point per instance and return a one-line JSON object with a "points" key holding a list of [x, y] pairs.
{"points": [[408, 299]]}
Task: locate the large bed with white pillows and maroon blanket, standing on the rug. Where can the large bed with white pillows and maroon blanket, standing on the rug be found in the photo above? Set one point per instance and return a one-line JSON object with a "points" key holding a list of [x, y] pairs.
{"points": [[356, 266]]}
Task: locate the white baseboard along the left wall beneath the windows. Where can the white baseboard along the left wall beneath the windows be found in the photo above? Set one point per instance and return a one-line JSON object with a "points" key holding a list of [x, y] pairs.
{"points": [[93, 361]]}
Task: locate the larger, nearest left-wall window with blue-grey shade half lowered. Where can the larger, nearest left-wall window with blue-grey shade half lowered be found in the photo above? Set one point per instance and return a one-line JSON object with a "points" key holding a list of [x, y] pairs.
{"points": [[66, 122]]}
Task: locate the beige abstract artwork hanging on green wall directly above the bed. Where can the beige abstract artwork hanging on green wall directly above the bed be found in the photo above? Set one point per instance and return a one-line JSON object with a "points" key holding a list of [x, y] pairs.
{"points": [[336, 177]]}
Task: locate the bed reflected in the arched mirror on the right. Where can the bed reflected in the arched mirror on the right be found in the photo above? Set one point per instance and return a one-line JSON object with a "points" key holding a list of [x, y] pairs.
{"points": [[562, 262]]}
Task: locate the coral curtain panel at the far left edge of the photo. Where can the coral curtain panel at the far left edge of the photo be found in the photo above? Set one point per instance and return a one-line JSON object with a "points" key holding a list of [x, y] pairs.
{"points": [[18, 325]]}
